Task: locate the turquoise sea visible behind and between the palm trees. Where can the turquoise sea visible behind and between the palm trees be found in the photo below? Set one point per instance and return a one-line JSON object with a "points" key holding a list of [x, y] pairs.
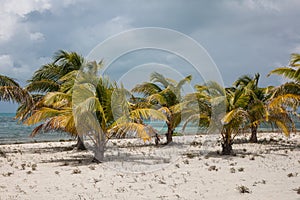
{"points": [[11, 131]]}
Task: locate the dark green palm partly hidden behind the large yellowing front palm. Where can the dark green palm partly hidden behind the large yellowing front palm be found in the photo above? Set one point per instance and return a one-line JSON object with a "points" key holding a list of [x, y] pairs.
{"points": [[57, 76]]}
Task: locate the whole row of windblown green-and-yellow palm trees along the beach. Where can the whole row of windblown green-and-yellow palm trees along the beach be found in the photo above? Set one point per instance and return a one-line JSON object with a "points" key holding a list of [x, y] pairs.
{"points": [[67, 95]]}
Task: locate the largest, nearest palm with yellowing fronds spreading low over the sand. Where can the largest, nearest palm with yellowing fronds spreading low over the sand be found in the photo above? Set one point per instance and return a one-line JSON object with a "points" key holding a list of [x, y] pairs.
{"points": [[88, 110]]}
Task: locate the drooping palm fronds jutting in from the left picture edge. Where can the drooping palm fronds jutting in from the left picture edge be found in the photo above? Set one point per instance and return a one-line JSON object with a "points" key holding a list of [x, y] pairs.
{"points": [[11, 91]]}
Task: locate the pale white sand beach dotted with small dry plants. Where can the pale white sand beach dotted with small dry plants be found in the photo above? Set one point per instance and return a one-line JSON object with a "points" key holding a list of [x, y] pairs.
{"points": [[179, 171]]}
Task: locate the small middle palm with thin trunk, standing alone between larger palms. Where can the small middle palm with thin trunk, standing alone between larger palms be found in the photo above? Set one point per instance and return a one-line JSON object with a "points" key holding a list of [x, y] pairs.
{"points": [[165, 94]]}
